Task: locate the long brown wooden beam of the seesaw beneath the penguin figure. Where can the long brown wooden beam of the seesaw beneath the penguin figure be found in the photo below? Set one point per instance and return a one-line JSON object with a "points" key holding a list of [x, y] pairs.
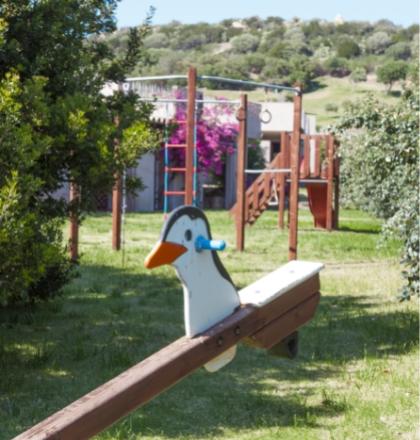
{"points": [[106, 404]]}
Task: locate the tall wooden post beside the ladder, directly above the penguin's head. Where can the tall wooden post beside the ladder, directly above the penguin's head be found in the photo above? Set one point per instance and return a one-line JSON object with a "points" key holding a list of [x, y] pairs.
{"points": [[189, 156]]}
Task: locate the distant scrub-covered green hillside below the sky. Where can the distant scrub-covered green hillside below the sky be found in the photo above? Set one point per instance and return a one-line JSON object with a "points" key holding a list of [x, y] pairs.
{"points": [[335, 61]]}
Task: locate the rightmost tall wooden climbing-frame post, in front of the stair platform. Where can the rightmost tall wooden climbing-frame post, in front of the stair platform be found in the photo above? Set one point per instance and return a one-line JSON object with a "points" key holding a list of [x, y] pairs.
{"points": [[294, 176]]}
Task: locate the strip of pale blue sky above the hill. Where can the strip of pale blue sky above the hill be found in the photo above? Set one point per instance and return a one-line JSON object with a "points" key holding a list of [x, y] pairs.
{"points": [[133, 12]]}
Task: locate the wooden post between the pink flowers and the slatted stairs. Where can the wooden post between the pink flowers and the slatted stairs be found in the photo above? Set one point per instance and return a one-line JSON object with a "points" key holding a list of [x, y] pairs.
{"points": [[240, 174]]}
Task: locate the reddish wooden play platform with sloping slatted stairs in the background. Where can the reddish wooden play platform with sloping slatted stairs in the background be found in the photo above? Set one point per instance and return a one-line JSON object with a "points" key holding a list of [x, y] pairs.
{"points": [[320, 176]]}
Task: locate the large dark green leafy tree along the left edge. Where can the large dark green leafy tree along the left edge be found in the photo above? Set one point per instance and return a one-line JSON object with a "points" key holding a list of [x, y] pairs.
{"points": [[56, 128]]}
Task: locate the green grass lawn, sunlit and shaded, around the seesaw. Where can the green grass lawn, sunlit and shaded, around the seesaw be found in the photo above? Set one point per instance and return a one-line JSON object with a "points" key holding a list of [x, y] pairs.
{"points": [[356, 376]]}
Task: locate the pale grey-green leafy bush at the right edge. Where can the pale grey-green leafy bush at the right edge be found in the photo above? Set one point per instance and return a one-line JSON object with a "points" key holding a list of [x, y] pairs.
{"points": [[380, 171]]}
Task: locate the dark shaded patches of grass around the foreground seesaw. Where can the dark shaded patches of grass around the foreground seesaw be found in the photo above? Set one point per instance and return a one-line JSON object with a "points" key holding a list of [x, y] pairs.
{"points": [[111, 319]]}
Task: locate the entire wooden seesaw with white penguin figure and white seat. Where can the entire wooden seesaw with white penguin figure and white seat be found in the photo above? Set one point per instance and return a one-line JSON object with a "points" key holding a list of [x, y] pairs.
{"points": [[266, 314]]}
